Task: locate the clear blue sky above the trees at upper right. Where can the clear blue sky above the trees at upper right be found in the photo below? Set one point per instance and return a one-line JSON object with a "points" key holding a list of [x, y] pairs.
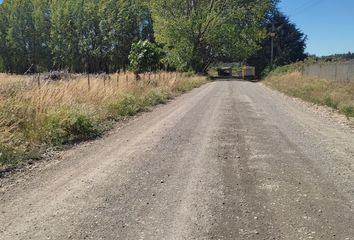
{"points": [[329, 24]]}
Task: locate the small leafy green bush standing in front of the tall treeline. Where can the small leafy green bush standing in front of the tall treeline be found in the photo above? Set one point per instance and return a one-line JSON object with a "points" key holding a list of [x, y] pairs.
{"points": [[144, 56]]}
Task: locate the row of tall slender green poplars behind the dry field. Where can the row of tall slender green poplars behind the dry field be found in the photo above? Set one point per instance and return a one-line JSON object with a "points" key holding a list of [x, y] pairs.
{"points": [[81, 35]]}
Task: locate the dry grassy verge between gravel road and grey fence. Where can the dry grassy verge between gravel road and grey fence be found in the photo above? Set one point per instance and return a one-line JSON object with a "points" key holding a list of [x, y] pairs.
{"points": [[334, 94]]}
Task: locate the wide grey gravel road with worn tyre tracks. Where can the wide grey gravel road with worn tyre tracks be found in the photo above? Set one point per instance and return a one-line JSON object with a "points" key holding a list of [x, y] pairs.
{"points": [[230, 160]]}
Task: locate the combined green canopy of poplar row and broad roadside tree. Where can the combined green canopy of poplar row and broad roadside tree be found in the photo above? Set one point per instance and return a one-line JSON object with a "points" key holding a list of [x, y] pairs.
{"points": [[97, 35]]}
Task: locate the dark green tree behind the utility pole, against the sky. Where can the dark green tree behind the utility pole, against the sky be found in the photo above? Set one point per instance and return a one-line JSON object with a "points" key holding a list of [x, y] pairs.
{"points": [[289, 43]]}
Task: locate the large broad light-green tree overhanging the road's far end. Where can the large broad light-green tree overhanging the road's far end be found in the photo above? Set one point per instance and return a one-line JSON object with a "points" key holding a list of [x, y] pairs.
{"points": [[197, 33]]}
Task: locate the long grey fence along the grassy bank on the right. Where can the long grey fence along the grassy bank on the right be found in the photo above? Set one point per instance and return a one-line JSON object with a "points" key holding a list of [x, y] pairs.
{"points": [[331, 71]]}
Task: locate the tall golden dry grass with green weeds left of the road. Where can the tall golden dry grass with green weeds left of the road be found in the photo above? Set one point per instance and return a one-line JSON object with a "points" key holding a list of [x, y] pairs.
{"points": [[58, 113]]}
